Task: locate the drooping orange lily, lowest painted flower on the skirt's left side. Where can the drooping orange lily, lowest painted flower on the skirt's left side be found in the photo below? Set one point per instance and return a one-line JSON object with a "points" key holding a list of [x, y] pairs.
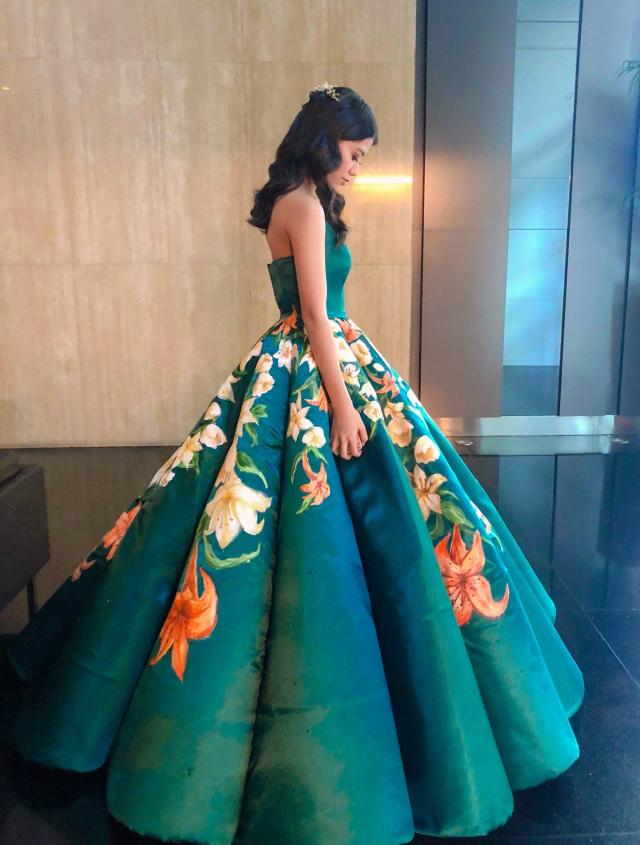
{"points": [[191, 617]]}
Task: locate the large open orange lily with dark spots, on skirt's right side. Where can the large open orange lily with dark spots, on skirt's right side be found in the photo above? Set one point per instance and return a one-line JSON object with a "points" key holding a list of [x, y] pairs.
{"points": [[467, 589]]}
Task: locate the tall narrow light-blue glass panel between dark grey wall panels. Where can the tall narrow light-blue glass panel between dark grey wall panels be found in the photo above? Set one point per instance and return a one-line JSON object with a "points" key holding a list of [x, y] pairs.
{"points": [[544, 85]]}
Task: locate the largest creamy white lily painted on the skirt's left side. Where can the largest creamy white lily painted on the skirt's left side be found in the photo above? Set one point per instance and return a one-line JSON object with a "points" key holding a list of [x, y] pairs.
{"points": [[235, 508]]}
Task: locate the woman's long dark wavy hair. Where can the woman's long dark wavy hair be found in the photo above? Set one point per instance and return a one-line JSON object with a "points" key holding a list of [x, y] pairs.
{"points": [[310, 148]]}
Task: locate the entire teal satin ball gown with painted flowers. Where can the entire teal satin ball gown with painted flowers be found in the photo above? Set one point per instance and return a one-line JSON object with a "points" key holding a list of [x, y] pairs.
{"points": [[274, 644]]}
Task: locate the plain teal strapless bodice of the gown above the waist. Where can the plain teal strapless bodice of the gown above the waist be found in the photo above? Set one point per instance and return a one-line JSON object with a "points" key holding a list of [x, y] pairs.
{"points": [[282, 272]]}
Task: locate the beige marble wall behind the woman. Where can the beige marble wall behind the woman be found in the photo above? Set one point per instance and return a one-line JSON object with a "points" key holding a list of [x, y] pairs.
{"points": [[133, 134]]}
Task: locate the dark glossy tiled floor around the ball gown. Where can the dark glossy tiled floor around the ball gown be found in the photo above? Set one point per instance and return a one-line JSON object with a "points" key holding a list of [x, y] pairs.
{"points": [[576, 516]]}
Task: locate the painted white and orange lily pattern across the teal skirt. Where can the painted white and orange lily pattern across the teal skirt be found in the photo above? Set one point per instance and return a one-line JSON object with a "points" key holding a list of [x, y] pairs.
{"points": [[241, 497]]}
